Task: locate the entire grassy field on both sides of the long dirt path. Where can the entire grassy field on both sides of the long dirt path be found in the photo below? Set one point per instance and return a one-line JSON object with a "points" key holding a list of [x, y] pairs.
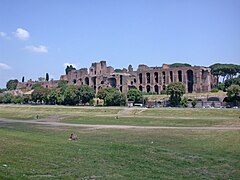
{"points": [[31, 151]]}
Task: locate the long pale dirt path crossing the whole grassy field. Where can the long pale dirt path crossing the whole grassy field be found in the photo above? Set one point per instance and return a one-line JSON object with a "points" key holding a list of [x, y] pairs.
{"points": [[50, 123]]}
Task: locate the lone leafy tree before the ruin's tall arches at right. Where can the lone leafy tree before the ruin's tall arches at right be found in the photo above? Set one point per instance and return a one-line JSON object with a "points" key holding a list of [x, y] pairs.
{"points": [[176, 91]]}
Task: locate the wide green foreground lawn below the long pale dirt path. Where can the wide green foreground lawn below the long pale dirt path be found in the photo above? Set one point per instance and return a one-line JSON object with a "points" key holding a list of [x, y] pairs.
{"points": [[41, 152]]}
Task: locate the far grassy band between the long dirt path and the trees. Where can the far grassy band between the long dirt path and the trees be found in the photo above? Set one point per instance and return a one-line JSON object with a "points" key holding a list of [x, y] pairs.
{"points": [[127, 116]]}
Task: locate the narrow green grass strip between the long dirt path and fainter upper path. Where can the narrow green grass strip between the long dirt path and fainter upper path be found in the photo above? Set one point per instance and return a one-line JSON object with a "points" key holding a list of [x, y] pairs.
{"points": [[152, 121]]}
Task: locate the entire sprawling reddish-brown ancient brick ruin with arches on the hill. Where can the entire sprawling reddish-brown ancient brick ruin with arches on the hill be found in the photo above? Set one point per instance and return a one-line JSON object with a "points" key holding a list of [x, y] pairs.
{"points": [[147, 79]]}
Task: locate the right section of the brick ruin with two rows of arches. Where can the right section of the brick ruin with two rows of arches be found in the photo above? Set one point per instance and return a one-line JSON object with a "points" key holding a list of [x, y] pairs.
{"points": [[155, 79]]}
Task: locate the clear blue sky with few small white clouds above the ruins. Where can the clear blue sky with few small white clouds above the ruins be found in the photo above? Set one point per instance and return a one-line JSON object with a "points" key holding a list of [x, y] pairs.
{"points": [[42, 35]]}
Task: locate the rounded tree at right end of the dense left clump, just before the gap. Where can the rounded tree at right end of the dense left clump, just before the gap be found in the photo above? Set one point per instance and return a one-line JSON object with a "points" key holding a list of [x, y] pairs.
{"points": [[86, 94]]}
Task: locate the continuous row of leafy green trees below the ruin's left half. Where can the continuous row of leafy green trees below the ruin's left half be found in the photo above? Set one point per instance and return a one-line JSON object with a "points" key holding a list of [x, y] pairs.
{"points": [[67, 94]]}
